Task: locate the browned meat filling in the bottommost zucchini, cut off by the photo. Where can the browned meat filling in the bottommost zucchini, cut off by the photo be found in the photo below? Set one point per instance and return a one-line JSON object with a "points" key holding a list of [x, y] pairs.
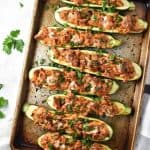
{"points": [[57, 141]]}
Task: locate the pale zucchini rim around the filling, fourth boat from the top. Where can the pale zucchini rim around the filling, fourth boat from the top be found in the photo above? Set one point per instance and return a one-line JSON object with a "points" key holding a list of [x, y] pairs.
{"points": [[137, 68]]}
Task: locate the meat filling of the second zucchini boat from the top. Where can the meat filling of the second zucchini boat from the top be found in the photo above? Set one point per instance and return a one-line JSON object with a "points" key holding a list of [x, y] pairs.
{"points": [[93, 18]]}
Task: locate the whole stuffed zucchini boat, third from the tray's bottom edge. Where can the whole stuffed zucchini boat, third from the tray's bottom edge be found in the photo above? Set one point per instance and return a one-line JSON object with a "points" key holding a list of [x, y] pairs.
{"points": [[84, 105]]}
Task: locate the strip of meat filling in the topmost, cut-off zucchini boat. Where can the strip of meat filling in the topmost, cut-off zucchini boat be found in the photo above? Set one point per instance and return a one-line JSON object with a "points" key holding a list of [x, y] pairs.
{"points": [[117, 3]]}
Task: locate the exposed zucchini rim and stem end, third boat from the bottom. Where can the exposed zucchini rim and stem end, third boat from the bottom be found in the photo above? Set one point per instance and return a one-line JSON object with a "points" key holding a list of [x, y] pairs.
{"points": [[124, 110]]}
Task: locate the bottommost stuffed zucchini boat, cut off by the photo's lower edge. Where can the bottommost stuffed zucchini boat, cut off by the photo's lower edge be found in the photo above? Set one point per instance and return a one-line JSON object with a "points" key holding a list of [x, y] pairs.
{"points": [[52, 141]]}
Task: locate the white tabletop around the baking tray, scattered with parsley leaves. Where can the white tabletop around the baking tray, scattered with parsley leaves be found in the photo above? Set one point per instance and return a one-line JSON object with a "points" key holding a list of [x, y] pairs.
{"points": [[12, 16]]}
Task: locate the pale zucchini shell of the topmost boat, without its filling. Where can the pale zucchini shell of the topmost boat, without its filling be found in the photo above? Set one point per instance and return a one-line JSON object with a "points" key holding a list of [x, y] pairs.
{"points": [[126, 5]]}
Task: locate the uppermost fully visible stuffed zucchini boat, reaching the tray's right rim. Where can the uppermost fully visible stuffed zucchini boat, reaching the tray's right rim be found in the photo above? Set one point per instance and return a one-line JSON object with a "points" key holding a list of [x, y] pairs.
{"points": [[95, 20]]}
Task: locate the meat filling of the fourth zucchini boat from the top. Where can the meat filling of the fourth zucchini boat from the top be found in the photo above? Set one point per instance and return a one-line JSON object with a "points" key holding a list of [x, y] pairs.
{"points": [[108, 65]]}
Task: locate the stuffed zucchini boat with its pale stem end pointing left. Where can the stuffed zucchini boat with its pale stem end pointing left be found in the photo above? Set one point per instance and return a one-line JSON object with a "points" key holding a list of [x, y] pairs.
{"points": [[85, 127]]}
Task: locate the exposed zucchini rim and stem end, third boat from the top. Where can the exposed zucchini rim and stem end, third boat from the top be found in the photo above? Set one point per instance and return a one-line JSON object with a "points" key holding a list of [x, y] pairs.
{"points": [[112, 41]]}
